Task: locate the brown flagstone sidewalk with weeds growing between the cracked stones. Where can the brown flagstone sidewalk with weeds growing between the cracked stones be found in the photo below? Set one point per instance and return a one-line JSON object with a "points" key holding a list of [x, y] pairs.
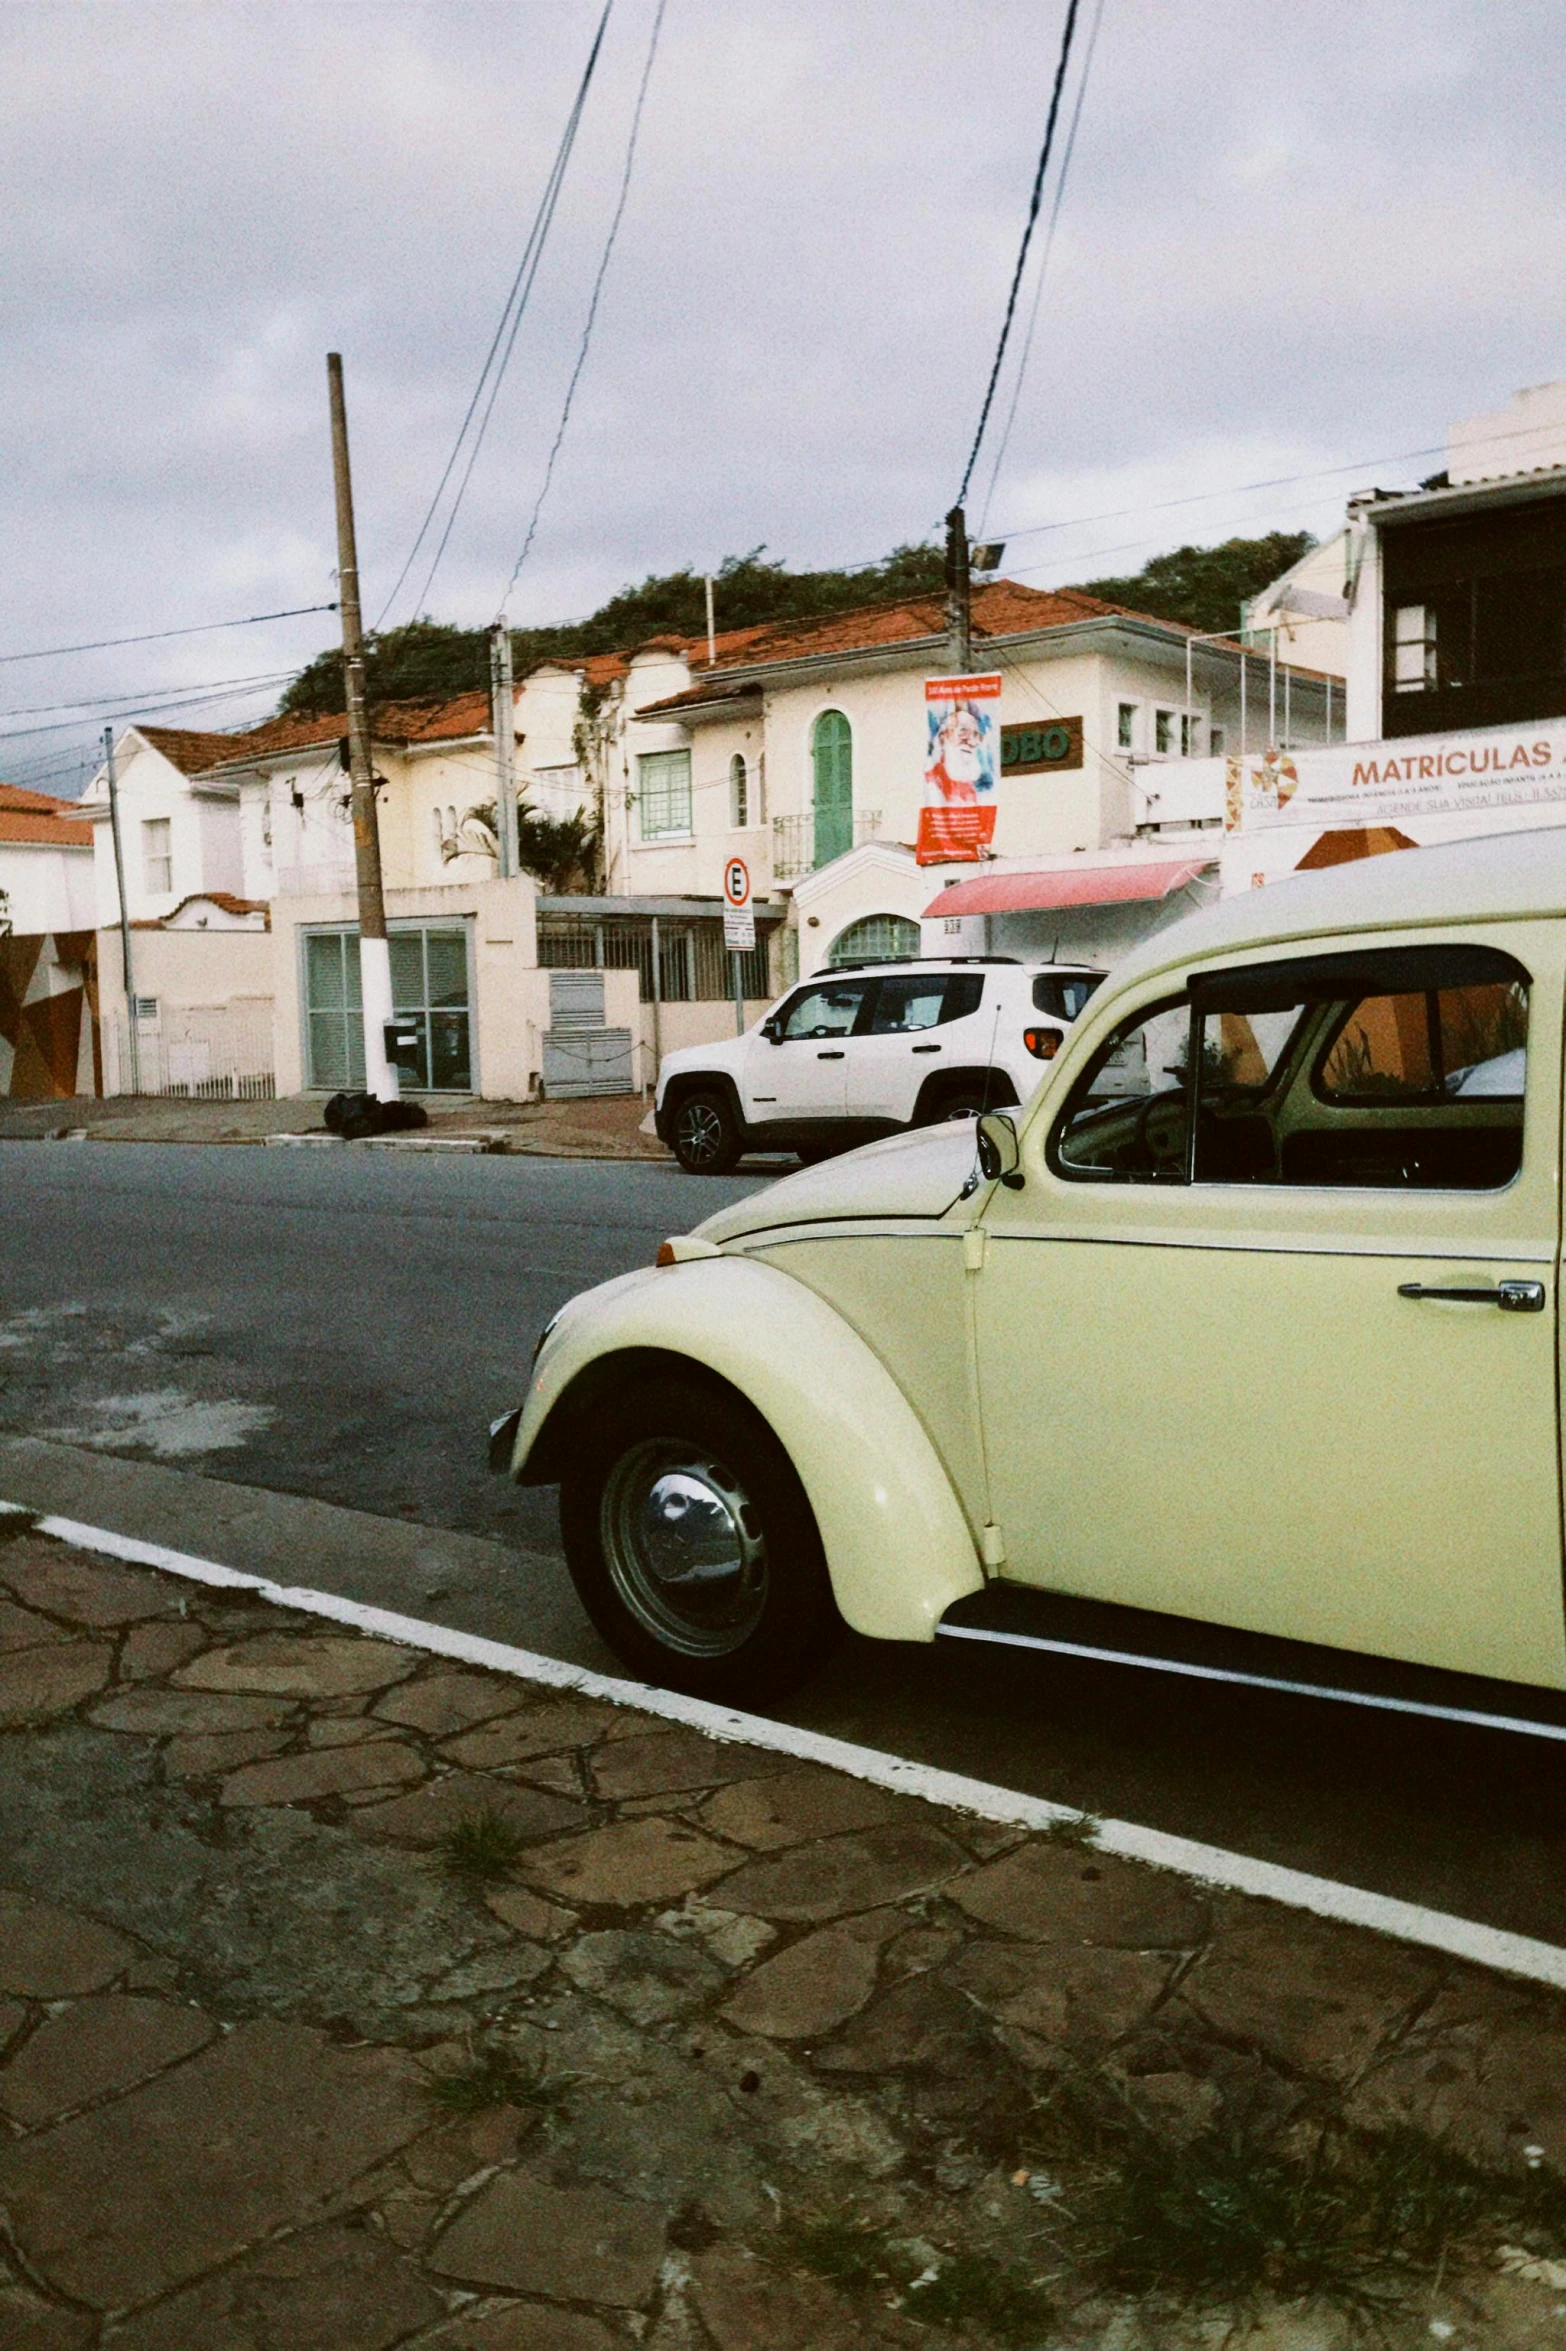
{"points": [[354, 2000]]}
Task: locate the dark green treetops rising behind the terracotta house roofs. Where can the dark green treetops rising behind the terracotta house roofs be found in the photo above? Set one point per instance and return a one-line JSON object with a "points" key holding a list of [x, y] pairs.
{"points": [[1200, 587]]}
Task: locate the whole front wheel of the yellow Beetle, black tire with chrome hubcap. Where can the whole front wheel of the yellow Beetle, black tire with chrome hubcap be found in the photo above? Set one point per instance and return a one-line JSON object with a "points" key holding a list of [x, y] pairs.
{"points": [[692, 1543]]}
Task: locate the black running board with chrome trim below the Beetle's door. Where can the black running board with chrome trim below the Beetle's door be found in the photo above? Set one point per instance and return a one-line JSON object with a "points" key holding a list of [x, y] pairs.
{"points": [[1099, 1633]]}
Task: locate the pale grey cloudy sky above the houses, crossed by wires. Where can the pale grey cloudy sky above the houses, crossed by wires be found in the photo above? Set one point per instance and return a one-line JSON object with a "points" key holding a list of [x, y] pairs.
{"points": [[1294, 239]]}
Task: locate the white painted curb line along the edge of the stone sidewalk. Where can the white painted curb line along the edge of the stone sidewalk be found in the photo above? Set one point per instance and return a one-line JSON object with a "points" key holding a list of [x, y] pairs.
{"points": [[1210, 1866]]}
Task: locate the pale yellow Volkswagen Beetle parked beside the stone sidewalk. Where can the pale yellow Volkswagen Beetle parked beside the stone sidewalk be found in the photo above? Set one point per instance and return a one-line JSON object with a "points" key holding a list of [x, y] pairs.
{"points": [[1231, 1353]]}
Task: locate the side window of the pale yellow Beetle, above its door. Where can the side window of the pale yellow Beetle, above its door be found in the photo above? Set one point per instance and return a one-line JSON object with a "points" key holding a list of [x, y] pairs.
{"points": [[1400, 1069]]}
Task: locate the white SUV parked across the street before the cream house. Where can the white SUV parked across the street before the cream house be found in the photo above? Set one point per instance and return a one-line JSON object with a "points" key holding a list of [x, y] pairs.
{"points": [[866, 1050]]}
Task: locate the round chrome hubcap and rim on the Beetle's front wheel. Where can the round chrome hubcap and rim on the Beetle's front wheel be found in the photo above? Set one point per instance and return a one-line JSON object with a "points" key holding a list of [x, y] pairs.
{"points": [[685, 1548]]}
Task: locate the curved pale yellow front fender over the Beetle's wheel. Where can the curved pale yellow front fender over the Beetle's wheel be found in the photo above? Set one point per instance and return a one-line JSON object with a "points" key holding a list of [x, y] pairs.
{"points": [[895, 1536]]}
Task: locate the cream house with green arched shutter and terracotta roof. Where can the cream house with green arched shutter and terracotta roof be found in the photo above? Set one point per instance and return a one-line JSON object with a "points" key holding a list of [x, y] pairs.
{"points": [[801, 749]]}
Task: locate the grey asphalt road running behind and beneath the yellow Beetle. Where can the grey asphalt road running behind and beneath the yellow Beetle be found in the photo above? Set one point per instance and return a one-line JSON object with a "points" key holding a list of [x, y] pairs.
{"points": [[342, 1327]]}
